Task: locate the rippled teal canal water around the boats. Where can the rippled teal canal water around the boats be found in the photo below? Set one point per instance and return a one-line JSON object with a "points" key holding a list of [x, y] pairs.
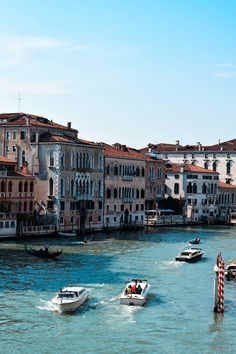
{"points": [[177, 318]]}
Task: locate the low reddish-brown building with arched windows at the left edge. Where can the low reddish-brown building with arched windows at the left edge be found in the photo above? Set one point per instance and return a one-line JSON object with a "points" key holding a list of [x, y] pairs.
{"points": [[17, 193]]}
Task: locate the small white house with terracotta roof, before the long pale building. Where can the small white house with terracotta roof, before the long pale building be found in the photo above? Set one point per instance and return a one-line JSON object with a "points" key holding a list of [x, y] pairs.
{"points": [[197, 187]]}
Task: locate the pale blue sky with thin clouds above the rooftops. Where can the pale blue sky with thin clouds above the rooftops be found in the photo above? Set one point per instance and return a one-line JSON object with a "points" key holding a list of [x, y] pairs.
{"points": [[128, 71]]}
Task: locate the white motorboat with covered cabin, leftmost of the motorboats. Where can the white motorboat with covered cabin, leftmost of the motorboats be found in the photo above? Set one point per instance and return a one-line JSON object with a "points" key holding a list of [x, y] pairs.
{"points": [[70, 298]]}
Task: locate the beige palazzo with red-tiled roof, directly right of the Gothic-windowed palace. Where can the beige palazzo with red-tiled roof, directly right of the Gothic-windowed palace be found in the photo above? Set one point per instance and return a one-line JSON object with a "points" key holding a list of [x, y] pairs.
{"points": [[124, 195]]}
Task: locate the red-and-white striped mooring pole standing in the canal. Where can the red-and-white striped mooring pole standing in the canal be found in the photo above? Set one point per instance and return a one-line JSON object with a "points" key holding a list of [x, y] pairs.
{"points": [[219, 285]]}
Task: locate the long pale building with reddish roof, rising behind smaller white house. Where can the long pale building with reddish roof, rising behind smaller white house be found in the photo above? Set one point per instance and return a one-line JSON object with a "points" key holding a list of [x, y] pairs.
{"points": [[220, 157]]}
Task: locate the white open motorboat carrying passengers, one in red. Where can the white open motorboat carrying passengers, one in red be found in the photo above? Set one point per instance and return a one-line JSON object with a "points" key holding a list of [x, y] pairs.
{"points": [[135, 293]]}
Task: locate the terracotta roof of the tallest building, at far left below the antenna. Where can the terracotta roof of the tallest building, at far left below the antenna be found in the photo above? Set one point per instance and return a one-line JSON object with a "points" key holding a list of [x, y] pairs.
{"points": [[30, 119]]}
